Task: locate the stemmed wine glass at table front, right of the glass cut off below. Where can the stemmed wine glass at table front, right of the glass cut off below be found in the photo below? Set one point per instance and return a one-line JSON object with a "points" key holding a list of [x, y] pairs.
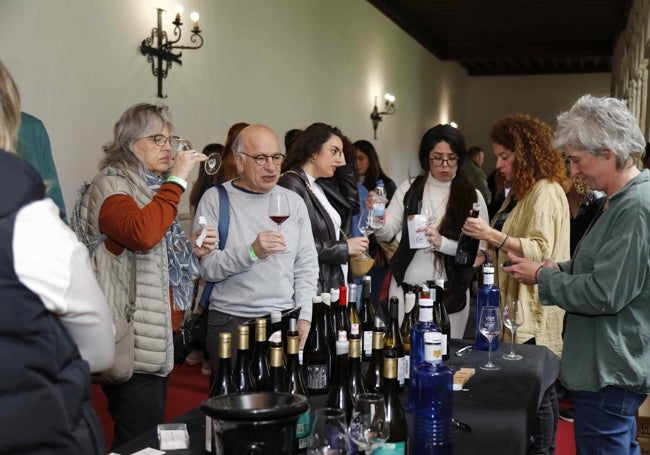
{"points": [[368, 427]]}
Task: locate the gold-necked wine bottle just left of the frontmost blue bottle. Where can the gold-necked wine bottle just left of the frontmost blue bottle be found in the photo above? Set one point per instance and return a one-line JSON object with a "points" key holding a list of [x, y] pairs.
{"points": [[397, 442]]}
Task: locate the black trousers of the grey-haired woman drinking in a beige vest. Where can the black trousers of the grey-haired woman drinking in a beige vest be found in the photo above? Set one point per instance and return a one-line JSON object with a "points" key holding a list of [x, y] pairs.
{"points": [[136, 406]]}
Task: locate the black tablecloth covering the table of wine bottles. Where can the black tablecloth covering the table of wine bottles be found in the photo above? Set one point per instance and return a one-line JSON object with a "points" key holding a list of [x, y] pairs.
{"points": [[499, 406]]}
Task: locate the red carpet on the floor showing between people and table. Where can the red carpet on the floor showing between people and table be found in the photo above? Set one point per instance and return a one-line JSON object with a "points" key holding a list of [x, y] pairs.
{"points": [[188, 388]]}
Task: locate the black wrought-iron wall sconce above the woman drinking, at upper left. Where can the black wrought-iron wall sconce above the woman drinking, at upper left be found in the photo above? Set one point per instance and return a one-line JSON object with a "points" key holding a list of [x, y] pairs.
{"points": [[160, 54]]}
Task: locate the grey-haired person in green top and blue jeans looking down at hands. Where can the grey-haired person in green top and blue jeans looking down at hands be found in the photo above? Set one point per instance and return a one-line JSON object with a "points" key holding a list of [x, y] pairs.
{"points": [[605, 287]]}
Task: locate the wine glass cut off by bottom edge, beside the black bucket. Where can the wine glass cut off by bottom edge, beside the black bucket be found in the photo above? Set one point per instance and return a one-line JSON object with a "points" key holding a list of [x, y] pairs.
{"points": [[329, 433]]}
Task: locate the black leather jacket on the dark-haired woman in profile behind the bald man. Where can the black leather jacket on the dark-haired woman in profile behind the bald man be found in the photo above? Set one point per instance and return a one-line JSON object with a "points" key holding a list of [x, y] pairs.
{"points": [[341, 191]]}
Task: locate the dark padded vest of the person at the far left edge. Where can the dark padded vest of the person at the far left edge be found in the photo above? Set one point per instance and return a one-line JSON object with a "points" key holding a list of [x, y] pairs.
{"points": [[45, 394]]}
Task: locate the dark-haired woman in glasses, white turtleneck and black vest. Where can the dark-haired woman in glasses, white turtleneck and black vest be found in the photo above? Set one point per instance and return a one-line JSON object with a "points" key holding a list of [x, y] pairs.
{"points": [[446, 192]]}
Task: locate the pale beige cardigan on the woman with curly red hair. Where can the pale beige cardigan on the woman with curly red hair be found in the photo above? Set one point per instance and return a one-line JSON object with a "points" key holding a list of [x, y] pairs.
{"points": [[541, 221]]}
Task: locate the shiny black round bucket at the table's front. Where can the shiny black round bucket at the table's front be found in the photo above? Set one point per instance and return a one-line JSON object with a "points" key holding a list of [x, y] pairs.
{"points": [[255, 423]]}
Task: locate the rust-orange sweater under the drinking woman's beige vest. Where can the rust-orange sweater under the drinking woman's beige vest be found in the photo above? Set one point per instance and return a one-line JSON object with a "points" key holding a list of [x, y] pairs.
{"points": [[129, 226]]}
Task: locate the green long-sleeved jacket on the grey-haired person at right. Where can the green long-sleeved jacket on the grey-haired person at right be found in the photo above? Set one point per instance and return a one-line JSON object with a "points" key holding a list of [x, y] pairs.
{"points": [[605, 290]]}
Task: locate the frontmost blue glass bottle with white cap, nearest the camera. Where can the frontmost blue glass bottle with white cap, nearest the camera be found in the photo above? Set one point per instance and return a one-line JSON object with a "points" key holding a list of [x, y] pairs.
{"points": [[433, 401]]}
